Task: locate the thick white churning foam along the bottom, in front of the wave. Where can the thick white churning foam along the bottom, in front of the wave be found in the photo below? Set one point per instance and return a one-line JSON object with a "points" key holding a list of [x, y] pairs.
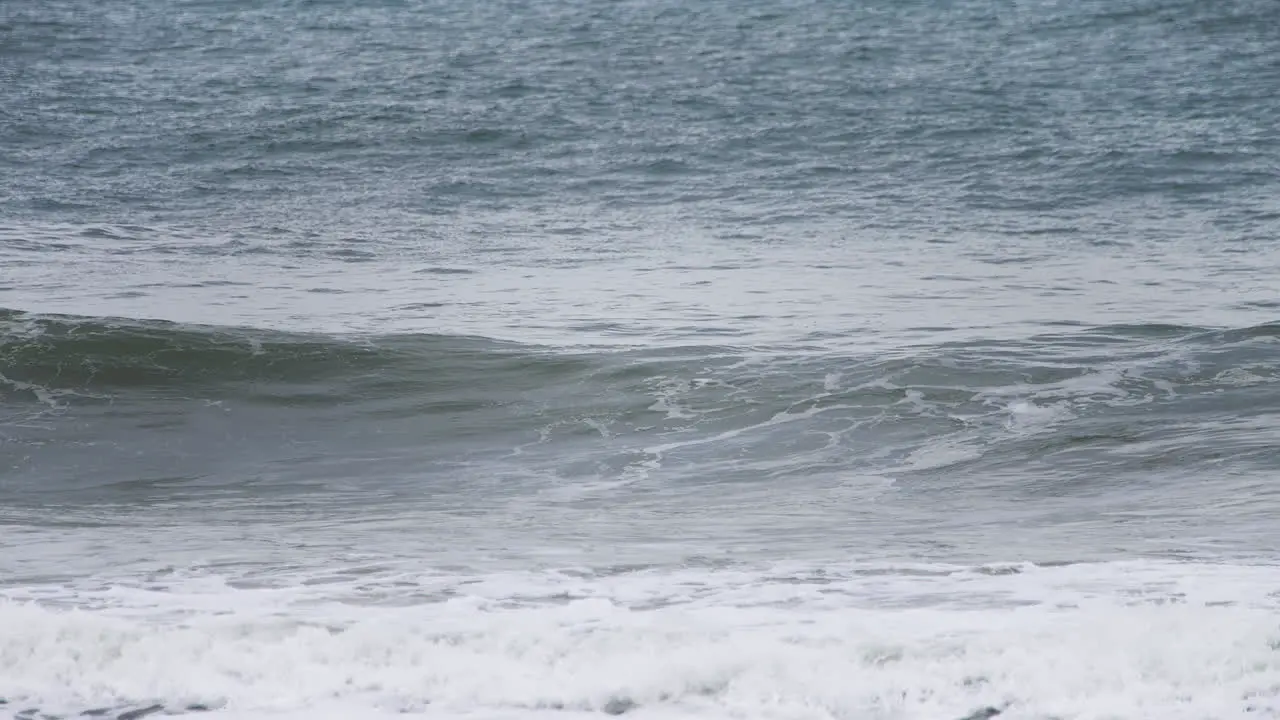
{"points": [[1140, 640]]}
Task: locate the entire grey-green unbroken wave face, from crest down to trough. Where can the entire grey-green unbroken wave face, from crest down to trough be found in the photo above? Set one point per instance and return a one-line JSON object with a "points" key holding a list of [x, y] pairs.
{"points": [[1085, 426]]}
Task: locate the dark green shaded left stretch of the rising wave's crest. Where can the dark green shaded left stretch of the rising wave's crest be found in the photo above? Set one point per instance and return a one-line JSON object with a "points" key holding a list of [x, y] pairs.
{"points": [[107, 356]]}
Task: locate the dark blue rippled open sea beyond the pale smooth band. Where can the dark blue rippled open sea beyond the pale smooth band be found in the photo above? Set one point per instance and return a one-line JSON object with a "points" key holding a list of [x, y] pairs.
{"points": [[319, 121]]}
